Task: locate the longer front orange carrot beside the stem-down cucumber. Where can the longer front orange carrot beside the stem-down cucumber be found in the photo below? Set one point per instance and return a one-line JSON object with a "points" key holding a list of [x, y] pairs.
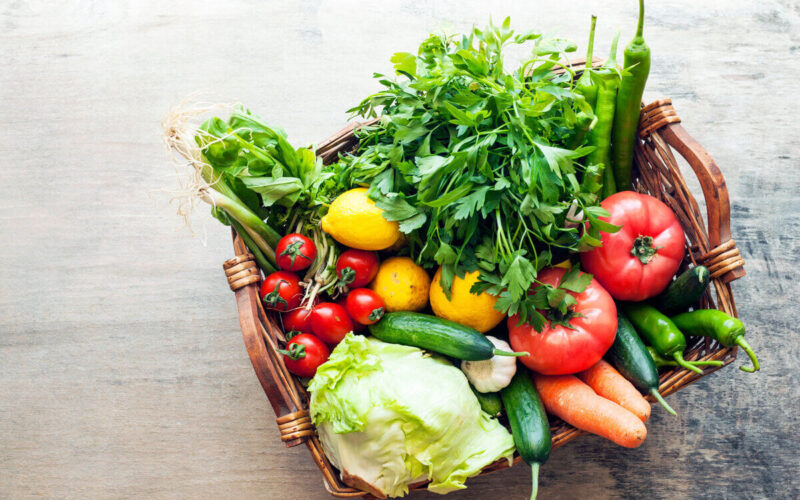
{"points": [[577, 404]]}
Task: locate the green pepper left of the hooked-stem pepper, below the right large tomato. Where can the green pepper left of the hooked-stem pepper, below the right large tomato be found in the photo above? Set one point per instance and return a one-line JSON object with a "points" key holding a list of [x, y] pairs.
{"points": [[662, 334]]}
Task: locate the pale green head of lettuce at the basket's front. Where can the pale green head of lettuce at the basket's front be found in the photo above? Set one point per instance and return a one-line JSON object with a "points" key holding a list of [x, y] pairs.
{"points": [[392, 415]]}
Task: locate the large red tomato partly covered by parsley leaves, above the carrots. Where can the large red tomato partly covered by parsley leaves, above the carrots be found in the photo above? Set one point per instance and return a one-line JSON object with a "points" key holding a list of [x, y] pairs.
{"points": [[560, 349]]}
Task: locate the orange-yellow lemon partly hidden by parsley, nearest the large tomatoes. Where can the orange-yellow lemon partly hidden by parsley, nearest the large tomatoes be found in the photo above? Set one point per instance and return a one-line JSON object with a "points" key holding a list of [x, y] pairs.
{"points": [[463, 307]]}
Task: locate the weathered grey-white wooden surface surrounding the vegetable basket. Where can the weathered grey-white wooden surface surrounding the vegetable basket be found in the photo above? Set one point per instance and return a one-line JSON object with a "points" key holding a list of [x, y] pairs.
{"points": [[122, 370]]}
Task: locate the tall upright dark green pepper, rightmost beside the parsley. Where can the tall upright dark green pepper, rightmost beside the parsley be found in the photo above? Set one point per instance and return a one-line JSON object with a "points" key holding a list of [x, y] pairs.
{"points": [[629, 105]]}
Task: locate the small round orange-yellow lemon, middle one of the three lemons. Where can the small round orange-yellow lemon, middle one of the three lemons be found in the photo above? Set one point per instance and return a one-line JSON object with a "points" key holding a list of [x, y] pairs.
{"points": [[402, 284]]}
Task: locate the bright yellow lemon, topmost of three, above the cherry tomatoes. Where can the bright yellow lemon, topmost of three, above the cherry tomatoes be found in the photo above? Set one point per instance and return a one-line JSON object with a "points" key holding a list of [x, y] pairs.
{"points": [[354, 220]]}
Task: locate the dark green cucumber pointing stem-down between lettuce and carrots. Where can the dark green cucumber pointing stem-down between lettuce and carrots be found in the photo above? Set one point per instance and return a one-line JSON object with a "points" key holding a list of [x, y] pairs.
{"points": [[529, 425]]}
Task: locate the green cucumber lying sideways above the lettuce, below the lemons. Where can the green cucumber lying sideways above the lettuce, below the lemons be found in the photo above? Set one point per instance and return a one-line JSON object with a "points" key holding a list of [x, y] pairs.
{"points": [[437, 335]]}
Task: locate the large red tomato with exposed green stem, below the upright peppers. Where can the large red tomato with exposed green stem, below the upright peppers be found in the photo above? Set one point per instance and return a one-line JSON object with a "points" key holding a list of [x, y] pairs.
{"points": [[638, 261]]}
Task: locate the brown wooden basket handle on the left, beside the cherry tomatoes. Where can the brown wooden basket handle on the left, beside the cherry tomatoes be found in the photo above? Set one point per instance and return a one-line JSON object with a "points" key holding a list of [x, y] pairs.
{"points": [[282, 390]]}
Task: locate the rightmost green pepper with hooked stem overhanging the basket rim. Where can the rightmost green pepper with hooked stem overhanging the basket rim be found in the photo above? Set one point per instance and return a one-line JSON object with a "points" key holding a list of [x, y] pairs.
{"points": [[717, 325]]}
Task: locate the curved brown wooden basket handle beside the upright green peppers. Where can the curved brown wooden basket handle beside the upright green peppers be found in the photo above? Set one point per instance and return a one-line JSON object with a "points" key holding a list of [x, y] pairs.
{"points": [[723, 258]]}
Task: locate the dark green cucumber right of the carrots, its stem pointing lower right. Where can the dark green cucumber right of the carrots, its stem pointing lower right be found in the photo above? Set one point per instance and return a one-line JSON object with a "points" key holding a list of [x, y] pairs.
{"points": [[630, 357]]}
